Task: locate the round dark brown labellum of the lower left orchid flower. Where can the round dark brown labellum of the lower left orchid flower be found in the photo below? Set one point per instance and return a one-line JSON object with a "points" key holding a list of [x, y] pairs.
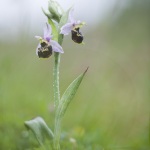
{"points": [[45, 50]]}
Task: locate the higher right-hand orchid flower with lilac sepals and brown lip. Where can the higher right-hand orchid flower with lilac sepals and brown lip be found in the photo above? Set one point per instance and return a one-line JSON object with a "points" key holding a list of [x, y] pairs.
{"points": [[73, 26]]}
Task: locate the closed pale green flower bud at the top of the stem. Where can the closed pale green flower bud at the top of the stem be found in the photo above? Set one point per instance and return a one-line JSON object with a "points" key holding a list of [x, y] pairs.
{"points": [[55, 10]]}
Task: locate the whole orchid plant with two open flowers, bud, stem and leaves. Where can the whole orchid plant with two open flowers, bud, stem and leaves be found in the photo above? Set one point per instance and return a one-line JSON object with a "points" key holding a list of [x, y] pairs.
{"points": [[60, 23]]}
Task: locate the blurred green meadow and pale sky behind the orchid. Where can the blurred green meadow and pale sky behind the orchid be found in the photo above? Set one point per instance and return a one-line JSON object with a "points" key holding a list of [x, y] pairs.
{"points": [[111, 108]]}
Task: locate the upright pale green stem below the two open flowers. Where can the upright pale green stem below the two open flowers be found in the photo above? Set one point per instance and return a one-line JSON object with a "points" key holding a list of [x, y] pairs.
{"points": [[57, 126]]}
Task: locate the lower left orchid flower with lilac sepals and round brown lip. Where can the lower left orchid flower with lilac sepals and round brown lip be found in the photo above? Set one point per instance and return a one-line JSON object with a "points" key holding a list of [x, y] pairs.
{"points": [[46, 45]]}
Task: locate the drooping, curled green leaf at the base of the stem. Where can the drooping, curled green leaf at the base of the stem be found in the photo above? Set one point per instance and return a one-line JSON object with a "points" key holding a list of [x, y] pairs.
{"points": [[40, 129]]}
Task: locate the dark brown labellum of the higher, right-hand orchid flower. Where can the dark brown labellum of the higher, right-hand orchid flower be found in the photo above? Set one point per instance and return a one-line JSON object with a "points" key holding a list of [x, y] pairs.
{"points": [[76, 35]]}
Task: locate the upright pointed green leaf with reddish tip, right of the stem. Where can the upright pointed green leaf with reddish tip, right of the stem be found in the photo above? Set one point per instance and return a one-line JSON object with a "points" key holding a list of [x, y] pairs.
{"points": [[69, 94]]}
